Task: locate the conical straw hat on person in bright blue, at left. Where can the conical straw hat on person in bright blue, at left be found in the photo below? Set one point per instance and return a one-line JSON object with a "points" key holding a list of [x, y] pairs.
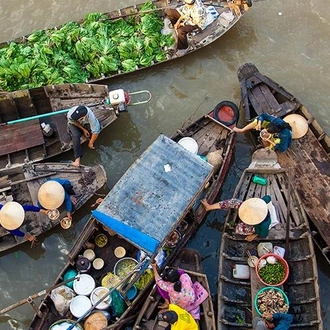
{"points": [[51, 195]]}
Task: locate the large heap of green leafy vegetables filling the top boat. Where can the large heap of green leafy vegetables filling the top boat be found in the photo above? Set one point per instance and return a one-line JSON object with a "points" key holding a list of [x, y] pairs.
{"points": [[75, 53]]}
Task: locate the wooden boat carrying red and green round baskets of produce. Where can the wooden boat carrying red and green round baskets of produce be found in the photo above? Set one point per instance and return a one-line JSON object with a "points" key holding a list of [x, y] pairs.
{"points": [[236, 295]]}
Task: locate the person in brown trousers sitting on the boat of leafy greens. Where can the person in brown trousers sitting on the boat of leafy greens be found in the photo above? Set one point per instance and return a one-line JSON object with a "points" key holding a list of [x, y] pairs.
{"points": [[191, 16]]}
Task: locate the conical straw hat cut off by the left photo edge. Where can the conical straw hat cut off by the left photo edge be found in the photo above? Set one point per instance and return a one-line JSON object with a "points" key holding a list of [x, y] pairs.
{"points": [[12, 215]]}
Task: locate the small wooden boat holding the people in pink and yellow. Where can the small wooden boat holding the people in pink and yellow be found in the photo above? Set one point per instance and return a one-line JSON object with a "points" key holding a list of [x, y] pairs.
{"points": [[190, 261]]}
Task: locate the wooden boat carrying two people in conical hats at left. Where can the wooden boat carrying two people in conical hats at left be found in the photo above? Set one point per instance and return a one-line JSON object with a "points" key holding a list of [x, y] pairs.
{"points": [[21, 184]]}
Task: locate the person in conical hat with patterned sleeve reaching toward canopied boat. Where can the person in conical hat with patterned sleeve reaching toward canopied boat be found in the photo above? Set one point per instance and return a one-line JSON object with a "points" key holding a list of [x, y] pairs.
{"points": [[253, 213]]}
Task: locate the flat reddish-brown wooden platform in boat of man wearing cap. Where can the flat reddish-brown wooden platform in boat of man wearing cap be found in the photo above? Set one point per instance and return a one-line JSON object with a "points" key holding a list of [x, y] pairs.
{"points": [[20, 136]]}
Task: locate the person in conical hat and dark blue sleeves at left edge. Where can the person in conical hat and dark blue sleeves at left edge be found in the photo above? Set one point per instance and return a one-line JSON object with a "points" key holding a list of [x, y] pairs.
{"points": [[12, 217]]}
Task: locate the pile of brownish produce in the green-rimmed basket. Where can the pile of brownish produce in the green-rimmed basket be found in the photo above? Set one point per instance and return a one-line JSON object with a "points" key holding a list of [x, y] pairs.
{"points": [[272, 301]]}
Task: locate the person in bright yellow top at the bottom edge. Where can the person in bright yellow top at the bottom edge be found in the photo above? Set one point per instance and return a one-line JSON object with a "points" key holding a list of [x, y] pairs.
{"points": [[178, 318]]}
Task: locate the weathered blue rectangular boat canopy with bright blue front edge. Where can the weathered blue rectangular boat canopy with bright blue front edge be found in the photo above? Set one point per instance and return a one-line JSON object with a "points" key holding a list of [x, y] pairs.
{"points": [[154, 194]]}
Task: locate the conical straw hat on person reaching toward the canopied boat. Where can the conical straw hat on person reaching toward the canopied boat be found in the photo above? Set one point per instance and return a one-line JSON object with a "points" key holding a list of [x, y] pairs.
{"points": [[253, 211]]}
